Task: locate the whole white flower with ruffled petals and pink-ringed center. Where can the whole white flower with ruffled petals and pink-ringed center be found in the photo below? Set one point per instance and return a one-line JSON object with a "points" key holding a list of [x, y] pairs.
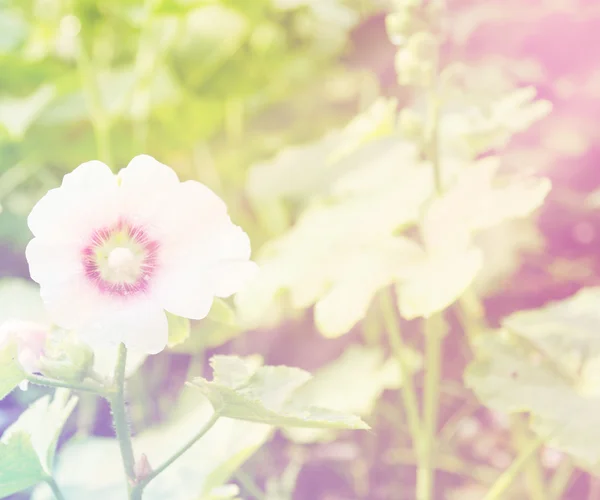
{"points": [[112, 253]]}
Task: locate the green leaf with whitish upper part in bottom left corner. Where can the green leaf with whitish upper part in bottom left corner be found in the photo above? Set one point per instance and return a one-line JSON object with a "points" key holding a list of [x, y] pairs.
{"points": [[27, 448]]}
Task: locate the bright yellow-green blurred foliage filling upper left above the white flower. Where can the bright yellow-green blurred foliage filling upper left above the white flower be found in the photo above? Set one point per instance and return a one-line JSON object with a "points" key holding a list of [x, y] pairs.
{"points": [[206, 86]]}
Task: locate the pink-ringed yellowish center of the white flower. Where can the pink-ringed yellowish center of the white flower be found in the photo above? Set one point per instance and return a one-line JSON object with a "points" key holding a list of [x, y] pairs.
{"points": [[121, 259]]}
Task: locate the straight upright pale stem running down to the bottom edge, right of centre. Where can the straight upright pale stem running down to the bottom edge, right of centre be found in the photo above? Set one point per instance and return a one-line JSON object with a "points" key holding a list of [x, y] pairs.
{"points": [[434, 332]]}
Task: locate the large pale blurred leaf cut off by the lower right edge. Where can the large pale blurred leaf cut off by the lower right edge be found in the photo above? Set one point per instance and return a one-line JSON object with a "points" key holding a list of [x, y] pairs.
{"points": [[548, 365]]}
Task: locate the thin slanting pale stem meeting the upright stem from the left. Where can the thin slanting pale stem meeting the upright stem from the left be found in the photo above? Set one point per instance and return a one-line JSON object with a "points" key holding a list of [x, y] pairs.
{"points": [[407, 387]]}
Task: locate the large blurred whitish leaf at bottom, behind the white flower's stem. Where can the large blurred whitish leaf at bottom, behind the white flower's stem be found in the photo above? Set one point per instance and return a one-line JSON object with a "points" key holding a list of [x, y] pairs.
{"points": [[204, 468]]}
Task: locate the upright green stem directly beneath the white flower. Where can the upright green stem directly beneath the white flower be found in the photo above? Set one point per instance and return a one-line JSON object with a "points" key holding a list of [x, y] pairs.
{"points": [[117, 404]]}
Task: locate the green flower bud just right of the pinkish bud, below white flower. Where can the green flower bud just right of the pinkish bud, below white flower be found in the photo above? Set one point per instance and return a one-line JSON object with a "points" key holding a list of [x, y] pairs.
{"points": [[65, 358]]}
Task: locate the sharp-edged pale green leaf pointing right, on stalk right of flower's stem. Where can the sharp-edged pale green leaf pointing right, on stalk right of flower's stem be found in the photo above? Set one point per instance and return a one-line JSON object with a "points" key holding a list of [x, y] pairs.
{"points": [[265, 394]]}
